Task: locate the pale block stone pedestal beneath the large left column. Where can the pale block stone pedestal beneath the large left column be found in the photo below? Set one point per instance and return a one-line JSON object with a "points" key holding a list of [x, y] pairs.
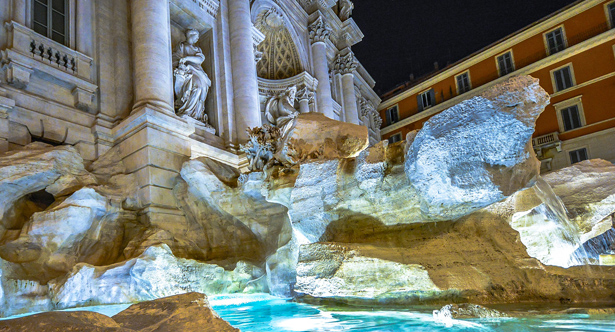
{"points": [[153, 146]]}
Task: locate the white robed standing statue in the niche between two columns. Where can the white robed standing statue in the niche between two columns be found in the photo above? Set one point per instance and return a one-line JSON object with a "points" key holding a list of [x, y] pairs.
{"points": [[191, 81]]}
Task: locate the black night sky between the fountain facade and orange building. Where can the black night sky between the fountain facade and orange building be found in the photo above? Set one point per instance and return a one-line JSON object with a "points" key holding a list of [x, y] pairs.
{"points": [[408, 36]]}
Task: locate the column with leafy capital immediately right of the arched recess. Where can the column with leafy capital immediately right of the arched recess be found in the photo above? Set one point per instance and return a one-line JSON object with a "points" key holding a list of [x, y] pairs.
{"points": [[319, 33]]}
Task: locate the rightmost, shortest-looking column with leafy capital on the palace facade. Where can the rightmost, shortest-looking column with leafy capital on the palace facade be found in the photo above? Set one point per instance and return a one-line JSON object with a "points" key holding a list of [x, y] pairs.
{"points": [[346, 65]]}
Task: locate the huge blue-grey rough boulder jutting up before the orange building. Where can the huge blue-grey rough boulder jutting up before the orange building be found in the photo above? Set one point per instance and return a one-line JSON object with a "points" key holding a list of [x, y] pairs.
{"points": [[477, 152]]}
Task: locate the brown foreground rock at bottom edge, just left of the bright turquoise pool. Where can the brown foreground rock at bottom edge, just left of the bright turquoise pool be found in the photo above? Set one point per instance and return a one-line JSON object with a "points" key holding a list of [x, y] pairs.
{"points": [[187, 312]]}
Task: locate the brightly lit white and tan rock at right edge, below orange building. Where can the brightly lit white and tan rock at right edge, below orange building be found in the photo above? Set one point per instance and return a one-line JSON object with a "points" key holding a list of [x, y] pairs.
{"points": [[587, 191]]}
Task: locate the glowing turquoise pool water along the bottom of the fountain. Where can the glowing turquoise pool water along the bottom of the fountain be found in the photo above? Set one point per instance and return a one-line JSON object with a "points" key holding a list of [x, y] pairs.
{"points": [[255, 313]]}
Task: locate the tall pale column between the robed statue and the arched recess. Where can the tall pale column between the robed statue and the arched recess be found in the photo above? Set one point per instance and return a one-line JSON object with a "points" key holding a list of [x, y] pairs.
{"points": [[245, 84]]}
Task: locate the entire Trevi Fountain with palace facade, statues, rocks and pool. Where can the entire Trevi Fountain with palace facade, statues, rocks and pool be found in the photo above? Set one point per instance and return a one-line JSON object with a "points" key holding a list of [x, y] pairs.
{"points": [[290, 215]]}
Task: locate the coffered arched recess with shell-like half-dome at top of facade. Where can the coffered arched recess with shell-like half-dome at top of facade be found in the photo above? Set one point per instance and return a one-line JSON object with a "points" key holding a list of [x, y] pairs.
{"points": [[282, 58]]}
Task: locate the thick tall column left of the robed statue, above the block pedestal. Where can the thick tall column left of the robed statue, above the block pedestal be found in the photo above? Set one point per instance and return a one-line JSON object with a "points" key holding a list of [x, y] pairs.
{"points": [[152, 55]]}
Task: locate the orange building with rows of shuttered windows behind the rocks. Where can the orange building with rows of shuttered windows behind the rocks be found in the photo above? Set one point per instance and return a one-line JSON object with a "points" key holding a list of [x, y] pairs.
{"points": [[571, 52]]}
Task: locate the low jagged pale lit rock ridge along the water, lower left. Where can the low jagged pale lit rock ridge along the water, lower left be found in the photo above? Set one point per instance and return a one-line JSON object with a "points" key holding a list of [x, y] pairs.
{"points": [[155, 274]]}
